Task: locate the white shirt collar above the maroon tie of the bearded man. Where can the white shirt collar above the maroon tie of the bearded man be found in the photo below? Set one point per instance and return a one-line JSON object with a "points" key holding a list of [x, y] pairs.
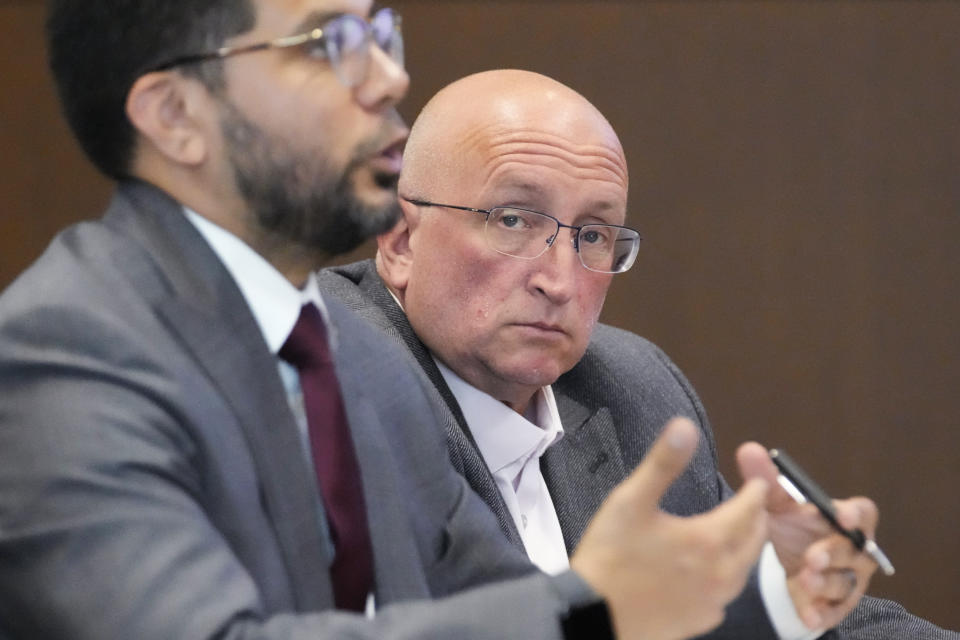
{"points": [[274, 301]]}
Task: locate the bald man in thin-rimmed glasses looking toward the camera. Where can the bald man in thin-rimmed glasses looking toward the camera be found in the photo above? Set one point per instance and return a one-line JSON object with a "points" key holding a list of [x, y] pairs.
{"points": [[514, 196]]}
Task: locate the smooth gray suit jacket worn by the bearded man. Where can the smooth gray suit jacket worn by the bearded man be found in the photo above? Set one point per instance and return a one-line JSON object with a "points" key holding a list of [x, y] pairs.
{"points": [[152, 481]]}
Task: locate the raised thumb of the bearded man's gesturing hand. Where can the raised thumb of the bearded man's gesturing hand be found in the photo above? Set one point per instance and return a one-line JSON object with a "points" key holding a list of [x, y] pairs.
{"points": [[665, 461]]}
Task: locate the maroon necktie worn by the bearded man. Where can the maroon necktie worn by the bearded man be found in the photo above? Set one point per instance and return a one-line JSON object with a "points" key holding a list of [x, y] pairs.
{"points": [[333, 458]]}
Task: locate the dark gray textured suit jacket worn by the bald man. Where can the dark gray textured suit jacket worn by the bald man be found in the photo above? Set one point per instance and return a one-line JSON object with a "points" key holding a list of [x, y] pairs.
{"points": [[613, 404]]}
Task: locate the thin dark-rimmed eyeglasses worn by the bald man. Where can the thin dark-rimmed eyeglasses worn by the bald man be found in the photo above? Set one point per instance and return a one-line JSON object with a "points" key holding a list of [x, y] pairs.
{"points": [[520, 233]]}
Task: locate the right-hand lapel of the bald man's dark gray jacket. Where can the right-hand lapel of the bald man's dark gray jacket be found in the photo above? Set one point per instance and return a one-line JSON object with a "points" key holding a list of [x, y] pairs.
{"points": [[583, 466]]}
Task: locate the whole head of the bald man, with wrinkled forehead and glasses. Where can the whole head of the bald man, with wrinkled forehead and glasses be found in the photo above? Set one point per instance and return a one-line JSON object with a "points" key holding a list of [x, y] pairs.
{"points": [[511, 184]]}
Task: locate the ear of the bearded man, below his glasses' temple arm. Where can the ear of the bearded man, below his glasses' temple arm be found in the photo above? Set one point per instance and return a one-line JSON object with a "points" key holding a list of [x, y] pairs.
{"points": [[167, 109]]}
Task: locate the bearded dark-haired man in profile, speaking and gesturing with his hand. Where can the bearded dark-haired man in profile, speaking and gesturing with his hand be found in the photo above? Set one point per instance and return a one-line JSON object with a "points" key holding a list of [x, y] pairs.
{"points": [[195, 444]]}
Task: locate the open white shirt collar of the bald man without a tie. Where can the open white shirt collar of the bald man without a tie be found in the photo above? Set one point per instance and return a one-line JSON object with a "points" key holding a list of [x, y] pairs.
{"points": [[505, 438]]}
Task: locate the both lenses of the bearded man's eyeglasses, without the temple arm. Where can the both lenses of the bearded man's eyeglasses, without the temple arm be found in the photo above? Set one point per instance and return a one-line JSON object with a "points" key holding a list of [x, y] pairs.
{"points": [[347, 43]]}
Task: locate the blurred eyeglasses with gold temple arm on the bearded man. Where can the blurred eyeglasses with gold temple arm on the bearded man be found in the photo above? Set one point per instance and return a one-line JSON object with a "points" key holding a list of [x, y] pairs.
{"points": [[344, 41]]}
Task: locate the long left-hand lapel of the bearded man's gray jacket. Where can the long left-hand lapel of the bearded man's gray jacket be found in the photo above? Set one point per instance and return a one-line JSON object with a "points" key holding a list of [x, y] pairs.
{"points": [[200, 303]]}
